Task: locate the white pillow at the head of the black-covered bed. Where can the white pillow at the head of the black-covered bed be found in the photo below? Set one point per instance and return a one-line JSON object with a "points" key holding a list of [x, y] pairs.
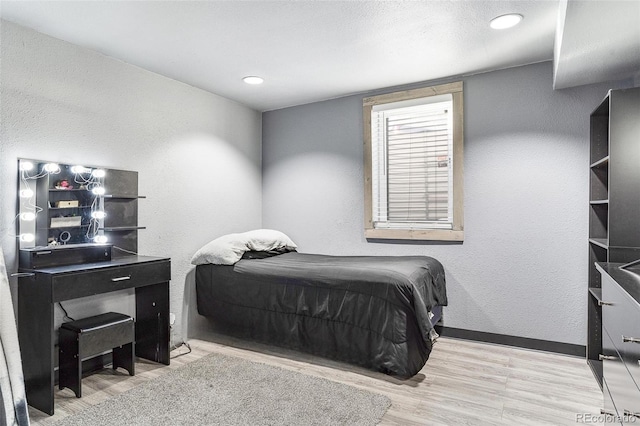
{"points": [[228, 249]]}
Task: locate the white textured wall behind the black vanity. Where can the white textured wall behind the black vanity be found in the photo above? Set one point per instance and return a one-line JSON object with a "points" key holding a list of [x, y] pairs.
{"points": [[198, 155]]}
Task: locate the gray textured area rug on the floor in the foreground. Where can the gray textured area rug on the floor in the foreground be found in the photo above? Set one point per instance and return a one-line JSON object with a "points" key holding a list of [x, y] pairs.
{"points": [[223, 390]]}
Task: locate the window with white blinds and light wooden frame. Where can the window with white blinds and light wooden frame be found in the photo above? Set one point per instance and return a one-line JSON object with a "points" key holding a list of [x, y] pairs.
{"points": [[413, 164]]}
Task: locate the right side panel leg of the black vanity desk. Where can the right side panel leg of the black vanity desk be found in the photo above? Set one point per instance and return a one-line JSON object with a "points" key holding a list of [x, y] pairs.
{"points": [[152, 322]]}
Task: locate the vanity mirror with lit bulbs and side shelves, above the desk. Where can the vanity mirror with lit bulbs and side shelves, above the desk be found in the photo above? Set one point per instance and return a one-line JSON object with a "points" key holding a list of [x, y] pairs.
{"points": [[63, 204]]}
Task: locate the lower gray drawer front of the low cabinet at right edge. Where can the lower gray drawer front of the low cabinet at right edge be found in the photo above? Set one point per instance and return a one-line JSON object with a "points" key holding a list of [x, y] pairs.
{"points": [[624, 393]]}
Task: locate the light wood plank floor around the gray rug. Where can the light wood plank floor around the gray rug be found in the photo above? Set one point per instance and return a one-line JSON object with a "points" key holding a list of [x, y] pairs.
{"points": [[463, 383]]}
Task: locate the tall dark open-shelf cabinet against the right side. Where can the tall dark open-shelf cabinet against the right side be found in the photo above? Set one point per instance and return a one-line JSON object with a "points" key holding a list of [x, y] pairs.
{"points": [[614, 202]]}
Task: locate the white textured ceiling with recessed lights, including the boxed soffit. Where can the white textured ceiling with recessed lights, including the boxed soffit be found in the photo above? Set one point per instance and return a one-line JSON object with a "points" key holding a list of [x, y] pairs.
{"points": [[309, 51]]}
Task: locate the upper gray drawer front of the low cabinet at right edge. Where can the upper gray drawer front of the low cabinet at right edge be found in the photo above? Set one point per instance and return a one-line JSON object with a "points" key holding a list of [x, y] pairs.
{"points": [[621, 319]]}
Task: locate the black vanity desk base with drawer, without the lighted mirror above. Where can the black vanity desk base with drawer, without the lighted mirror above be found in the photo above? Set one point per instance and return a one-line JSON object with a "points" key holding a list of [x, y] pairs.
{"points": [[40, 288]]}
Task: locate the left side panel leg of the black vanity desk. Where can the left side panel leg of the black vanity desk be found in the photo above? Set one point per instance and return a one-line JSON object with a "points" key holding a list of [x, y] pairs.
{"points": [[35, 331]]}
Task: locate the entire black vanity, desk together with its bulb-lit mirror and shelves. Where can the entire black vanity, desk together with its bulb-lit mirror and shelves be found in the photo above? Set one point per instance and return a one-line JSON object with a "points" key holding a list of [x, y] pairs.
{"points": [[70, 218]]}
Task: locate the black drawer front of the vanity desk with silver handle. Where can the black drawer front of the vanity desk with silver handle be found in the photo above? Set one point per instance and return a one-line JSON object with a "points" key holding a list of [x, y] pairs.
{"points": [[97, 281]]}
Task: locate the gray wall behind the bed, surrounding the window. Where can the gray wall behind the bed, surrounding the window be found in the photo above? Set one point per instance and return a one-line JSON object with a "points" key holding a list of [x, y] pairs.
{"points": [[522, 267]]}
